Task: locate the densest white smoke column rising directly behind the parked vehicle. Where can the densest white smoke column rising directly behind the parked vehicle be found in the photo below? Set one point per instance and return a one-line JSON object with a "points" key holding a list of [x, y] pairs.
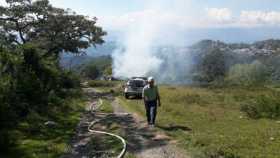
{"points": [[136, 57]]}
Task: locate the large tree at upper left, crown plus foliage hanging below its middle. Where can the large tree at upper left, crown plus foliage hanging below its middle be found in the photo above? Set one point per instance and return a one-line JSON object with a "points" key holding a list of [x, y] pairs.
{"points": [[39, 32]]}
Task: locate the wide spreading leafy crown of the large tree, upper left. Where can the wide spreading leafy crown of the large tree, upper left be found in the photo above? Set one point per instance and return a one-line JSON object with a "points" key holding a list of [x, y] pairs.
{"points": [[52, 29]]}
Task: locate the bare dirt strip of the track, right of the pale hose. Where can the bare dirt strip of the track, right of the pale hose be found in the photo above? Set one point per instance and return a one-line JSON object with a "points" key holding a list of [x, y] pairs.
{"points": [[145, 142]]}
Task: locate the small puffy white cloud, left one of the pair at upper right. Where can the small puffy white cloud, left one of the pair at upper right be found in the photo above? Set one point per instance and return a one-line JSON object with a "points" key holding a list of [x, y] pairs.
{"points": [[219, 14]]}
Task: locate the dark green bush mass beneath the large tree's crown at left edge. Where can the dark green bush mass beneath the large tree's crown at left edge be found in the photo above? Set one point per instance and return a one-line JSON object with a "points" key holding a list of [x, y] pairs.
{"points": [[30, 85]]}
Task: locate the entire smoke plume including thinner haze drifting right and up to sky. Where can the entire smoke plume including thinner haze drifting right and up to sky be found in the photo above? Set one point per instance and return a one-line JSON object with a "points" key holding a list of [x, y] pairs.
{"points": [[149, 30]]}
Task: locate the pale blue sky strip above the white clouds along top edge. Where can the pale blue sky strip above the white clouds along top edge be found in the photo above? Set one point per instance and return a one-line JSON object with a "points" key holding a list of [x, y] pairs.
{"points": [[118, 7]]}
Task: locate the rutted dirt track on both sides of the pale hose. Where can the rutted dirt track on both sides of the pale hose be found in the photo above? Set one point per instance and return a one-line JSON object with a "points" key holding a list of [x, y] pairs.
{"points": [[142, 141]]}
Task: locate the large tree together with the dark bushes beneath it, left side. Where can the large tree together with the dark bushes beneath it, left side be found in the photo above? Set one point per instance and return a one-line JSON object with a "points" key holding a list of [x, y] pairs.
{"points": [[32, 36]]}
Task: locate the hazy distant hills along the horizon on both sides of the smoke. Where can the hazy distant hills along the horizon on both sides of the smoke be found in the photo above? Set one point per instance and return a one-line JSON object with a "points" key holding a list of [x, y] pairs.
{"points": [[267, 47]]}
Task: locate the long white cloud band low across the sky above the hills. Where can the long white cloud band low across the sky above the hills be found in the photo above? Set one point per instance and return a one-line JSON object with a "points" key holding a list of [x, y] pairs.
{"points": [[213, 17]]}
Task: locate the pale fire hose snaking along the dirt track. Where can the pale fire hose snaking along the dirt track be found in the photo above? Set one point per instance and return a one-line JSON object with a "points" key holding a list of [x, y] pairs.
{"points": [[93, 108]]}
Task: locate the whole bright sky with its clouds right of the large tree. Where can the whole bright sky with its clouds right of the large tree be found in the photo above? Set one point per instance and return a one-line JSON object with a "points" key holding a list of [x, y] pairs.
{"points": [[190, 13]]}
